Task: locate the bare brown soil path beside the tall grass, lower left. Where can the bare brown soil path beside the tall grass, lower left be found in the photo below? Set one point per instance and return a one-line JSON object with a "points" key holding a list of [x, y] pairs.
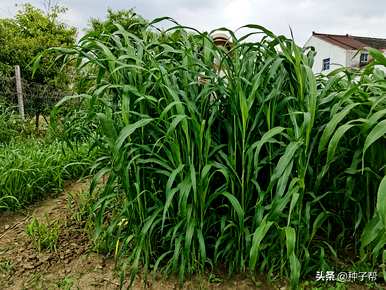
{"points": [[71, 266]]}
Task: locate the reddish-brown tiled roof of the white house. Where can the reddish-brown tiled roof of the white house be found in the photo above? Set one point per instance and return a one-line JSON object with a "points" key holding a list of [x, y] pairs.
{"points": [[352, 42]]}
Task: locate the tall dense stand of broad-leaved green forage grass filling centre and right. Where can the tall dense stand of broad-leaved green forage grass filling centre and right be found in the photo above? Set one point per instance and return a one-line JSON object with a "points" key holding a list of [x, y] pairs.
{"points": [[252, 163]]}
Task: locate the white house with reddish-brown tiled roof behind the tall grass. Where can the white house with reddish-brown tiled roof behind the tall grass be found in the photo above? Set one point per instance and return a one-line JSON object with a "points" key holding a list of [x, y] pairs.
{"points": [[334, 51]]}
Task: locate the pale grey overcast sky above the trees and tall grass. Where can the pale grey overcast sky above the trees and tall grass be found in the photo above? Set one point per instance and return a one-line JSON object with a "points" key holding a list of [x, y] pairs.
{"points": [[363, 18]]}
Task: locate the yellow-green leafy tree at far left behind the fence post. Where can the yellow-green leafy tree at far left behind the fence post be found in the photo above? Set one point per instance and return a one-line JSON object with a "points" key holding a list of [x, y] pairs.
{"points": [[22, 38]]}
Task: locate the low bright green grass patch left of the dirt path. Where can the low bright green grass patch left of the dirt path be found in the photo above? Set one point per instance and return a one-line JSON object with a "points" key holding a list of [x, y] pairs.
{"points": [[33, 168]]}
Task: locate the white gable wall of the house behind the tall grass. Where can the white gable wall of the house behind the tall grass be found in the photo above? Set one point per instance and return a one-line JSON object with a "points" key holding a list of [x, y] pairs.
{"points": [[338, 56]]}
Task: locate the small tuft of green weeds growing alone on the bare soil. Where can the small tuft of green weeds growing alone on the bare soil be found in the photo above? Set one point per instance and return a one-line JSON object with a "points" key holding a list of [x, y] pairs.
{"points": [[43, 235]]}
